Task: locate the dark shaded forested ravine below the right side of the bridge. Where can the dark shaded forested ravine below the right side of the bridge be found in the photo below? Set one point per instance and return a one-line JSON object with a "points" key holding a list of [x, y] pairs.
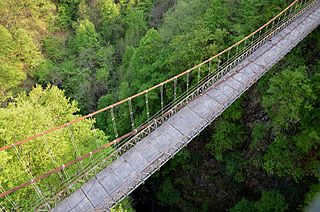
{"points": [[199, 179]]}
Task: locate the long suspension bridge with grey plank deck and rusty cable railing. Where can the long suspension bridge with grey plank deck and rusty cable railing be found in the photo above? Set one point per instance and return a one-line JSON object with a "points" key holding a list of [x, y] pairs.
{"points": [[173, 113]]}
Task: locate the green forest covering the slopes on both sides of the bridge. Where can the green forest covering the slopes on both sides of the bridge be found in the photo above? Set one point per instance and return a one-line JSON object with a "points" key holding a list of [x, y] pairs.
{"points": [[62, 59]]}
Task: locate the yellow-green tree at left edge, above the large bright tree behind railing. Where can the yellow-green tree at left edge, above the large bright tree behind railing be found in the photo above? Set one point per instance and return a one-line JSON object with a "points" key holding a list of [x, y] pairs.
{"points": [[19, 56]]}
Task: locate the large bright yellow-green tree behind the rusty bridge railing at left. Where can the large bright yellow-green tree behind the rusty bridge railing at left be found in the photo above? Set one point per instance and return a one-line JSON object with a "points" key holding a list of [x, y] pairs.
{"points": [[42, 109]]}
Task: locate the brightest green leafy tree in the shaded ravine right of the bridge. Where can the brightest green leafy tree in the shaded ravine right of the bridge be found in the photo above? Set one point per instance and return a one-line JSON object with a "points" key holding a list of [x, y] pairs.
{"points": [[289, 86]]}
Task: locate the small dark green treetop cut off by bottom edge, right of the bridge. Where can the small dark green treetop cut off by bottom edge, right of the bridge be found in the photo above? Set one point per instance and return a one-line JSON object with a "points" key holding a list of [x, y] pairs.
{"points": [[271, 201]]}
